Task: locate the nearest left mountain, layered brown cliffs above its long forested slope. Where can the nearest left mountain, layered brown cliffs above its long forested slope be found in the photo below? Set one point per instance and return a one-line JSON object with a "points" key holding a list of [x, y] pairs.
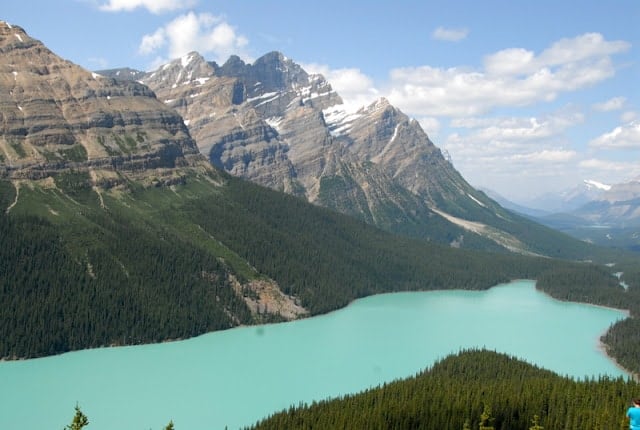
{"points": [[115, 230]]}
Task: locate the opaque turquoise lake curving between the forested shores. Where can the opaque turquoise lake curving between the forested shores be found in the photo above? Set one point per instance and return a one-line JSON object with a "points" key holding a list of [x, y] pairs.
{"points": [[235, 377]]}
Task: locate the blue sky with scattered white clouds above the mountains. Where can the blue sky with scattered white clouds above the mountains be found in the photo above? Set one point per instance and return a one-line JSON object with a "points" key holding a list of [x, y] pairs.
{"points": [[526, 97]]}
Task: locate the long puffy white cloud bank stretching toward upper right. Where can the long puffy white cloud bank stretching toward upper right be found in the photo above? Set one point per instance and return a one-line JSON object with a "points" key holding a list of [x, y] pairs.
{"points": [[511, 77]]}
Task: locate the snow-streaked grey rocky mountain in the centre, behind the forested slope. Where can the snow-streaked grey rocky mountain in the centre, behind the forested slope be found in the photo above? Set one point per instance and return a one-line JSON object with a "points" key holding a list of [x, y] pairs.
{"points": [[275, 124]]}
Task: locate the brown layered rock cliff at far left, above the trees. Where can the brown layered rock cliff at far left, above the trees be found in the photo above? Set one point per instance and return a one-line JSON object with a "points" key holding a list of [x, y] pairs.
{"points": [[55, 115]]}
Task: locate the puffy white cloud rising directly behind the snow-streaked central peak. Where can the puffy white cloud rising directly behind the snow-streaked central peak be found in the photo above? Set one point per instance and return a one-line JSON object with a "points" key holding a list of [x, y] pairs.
{"points": [[203, 32]]}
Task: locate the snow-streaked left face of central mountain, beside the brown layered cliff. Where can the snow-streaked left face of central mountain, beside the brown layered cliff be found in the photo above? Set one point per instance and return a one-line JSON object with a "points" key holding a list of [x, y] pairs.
{"points": [[228, 130]]}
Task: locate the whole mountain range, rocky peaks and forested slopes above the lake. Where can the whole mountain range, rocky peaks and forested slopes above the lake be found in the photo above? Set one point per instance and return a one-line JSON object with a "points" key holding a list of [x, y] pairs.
{"points": [[116, 228]]}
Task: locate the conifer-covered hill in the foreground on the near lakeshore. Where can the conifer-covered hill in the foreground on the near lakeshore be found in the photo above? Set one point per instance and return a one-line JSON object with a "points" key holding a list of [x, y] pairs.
{"points": [[456, 392]]}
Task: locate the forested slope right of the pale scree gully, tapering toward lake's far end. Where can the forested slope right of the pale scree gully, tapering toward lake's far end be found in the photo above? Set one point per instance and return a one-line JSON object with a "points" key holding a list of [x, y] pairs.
{"points": [[328, 259]]}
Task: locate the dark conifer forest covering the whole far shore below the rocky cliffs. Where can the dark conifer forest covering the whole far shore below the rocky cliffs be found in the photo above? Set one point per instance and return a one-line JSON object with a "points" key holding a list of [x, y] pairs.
{"points": [[144, 268]]}
